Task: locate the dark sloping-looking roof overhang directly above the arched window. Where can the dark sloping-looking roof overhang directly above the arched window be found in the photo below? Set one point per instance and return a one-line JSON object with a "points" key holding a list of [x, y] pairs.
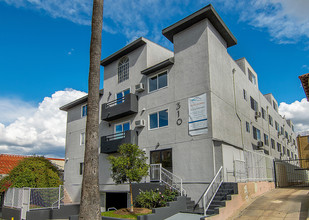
{"points": [[125, 50]]}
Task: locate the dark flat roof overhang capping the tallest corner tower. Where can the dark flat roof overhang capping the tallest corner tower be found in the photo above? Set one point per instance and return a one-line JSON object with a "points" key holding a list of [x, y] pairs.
{"points": [[206, 12]]}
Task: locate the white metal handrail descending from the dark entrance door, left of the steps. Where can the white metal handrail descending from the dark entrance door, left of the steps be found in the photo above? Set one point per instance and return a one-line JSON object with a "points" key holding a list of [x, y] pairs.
{"points": [[168, 178]]}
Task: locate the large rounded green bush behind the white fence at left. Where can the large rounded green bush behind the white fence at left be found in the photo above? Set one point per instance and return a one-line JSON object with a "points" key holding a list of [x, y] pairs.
{"points": [[34, 172]]}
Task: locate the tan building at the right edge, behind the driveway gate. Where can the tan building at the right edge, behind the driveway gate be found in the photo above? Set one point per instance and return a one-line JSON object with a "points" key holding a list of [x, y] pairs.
{"points": [[303, 149]]}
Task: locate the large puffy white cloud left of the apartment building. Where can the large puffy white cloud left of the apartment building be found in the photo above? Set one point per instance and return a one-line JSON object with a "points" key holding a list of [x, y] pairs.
{"points": [[40, 132]]}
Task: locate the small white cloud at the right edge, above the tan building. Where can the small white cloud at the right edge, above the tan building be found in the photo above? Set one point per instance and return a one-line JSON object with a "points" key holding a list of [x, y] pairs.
{"points": [[298, 113]]}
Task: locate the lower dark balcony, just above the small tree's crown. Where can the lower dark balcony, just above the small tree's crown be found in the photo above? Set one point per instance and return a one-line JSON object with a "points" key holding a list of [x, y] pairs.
{"points": [[111, 143]]}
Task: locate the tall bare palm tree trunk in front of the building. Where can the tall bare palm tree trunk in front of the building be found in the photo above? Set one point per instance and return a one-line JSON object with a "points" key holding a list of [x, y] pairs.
{"points": [[90, 195]]}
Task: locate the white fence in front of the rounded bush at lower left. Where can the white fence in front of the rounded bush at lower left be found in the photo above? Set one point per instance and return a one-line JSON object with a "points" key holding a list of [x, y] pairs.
{"points": [[34, 198]]}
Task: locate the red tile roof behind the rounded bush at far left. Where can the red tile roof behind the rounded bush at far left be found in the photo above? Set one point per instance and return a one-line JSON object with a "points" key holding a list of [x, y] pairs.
{"points": [[9, 161]]}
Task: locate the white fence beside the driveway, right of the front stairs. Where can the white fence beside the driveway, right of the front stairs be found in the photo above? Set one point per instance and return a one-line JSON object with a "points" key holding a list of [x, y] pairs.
{"points": [[254, 167]]}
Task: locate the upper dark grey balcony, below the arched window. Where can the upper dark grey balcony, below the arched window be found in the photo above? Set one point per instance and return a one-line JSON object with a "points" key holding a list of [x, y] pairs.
{"points": [[119, 108]]}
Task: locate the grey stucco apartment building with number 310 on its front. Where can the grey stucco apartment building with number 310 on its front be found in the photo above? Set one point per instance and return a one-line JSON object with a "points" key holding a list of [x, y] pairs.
{"points": [[192, 110]]}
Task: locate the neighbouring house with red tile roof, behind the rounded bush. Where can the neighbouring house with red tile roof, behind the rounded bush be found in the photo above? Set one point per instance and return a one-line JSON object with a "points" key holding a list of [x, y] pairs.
{"points": [[9, 161]]}
